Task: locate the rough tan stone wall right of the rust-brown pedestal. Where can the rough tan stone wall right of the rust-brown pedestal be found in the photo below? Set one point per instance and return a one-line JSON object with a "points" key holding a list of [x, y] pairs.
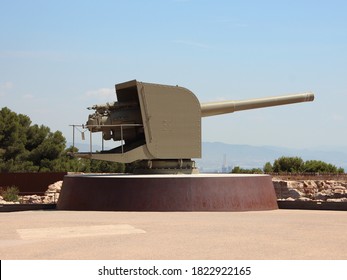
{"points": [[311, 190]]}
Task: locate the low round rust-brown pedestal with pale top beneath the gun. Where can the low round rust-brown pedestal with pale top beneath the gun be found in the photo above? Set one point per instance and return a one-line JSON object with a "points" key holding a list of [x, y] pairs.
{"points": [[196, 192]]}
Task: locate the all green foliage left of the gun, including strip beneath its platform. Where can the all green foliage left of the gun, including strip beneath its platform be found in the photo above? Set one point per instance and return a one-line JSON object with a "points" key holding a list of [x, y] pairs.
{"points": [[30, 148]]}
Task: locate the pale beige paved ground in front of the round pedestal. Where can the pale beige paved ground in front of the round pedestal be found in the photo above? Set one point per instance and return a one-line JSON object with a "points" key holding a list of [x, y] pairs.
{"points": [[278, 234]]}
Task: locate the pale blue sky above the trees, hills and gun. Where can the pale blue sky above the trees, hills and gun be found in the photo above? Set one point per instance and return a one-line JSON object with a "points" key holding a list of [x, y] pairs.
{"points": [[59, 57]]}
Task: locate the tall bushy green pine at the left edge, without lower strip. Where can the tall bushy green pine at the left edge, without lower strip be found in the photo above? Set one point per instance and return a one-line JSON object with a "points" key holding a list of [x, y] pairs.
{"points": [[26, 147]]}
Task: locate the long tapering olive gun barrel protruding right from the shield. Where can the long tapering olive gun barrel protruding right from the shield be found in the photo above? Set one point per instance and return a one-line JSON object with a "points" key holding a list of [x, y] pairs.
{"points": [[226, 107]]}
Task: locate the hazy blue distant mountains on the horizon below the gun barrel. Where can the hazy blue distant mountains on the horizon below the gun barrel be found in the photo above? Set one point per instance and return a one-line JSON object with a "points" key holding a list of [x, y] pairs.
{"points": [[216, 155]]}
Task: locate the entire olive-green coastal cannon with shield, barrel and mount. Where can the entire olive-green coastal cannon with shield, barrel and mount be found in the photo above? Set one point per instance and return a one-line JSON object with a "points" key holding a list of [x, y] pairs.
{"points": [[160, 126]]}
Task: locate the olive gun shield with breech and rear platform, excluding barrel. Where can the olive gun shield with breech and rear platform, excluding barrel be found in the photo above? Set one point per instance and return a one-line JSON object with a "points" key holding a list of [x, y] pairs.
{"points": [[153, 122]]}
